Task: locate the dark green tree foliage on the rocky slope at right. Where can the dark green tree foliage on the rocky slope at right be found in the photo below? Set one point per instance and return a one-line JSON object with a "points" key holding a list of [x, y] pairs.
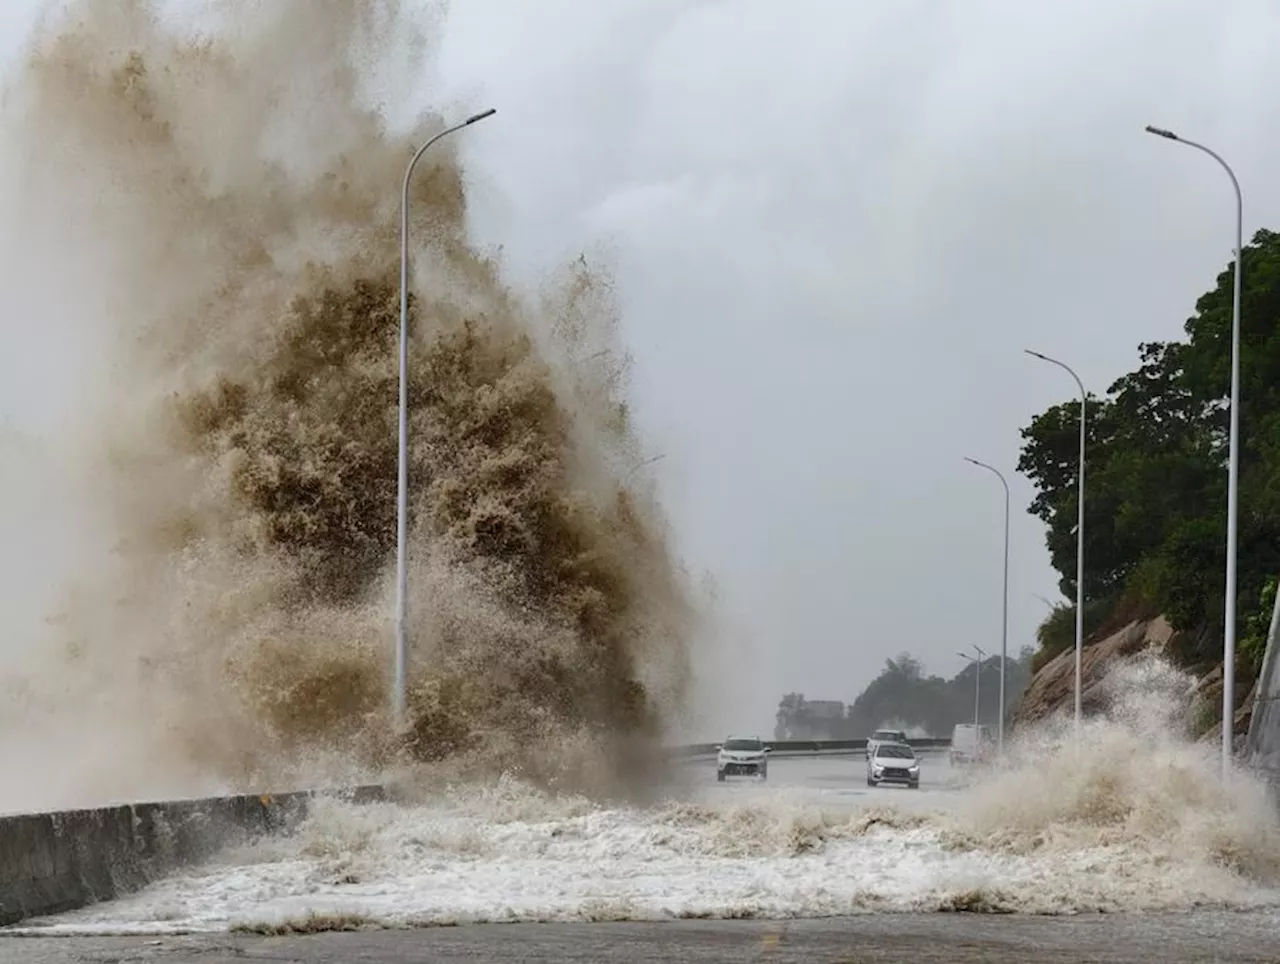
{"points": [[1156, 467]]}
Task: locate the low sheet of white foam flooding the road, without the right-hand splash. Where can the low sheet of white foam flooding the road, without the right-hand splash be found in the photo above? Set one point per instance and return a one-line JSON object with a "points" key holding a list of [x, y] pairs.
{"points": [[509, 853]]}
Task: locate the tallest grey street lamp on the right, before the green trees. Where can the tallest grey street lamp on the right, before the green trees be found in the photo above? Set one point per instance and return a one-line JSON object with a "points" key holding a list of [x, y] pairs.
{"points": [[1233, 460]]}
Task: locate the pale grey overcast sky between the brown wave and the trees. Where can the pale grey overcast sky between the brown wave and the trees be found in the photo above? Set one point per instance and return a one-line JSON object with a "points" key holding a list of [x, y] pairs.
{"points": [[836, 227]]}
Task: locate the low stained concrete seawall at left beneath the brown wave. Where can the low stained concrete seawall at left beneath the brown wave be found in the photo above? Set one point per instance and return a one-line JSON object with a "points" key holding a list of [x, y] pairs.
{"points": [[57, 862]]}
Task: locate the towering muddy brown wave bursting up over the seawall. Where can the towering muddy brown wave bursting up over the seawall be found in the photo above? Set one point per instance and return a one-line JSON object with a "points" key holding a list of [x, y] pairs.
{"points": [[218, 212]]}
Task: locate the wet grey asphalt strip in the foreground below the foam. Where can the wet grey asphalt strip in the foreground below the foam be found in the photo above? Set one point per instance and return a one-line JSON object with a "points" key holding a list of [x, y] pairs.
{"points": [[935, 939]]}
